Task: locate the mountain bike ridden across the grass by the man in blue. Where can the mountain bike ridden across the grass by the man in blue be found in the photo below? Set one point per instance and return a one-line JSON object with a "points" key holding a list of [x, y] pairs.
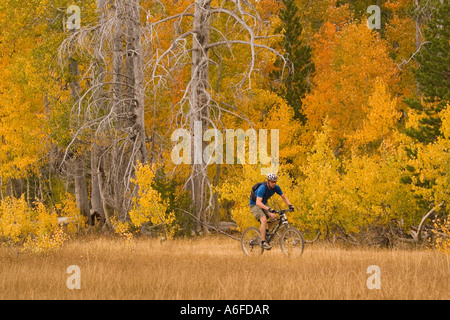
{"points": [[288, 238]]}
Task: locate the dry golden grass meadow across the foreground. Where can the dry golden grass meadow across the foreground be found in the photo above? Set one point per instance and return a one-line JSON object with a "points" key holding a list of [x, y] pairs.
{"points": [[216, 268]]}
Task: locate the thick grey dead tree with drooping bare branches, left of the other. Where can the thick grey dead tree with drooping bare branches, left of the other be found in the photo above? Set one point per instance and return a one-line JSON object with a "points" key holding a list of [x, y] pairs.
{"points": [[111, 107]]}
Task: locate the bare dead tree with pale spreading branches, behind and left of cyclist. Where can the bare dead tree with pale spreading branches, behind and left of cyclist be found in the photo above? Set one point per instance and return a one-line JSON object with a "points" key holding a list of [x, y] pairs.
{"points": [[190, 48]]}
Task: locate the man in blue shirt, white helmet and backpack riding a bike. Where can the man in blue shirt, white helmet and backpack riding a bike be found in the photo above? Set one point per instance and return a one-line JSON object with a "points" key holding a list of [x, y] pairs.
{"points": [[260, 209]]}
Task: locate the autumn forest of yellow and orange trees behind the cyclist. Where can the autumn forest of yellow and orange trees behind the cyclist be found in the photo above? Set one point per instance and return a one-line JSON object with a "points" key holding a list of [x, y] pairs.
{"points": [[87, 114]]}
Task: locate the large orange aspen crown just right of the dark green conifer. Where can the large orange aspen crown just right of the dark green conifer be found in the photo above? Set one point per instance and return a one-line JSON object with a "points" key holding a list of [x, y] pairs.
{"points": [[348, 62]]}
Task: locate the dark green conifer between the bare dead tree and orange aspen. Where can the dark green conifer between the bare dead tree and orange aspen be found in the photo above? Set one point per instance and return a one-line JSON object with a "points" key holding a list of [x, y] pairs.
{"points": [[296, 84]]}
